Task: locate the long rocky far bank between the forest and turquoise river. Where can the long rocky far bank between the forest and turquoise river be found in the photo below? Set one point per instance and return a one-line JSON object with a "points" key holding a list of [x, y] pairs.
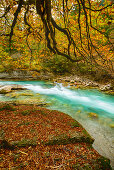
{"points": [[105, 85]]}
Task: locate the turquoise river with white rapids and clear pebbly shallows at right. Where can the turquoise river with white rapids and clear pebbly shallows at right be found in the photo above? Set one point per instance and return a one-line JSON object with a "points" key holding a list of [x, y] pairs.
{"points": [[79, 104]]}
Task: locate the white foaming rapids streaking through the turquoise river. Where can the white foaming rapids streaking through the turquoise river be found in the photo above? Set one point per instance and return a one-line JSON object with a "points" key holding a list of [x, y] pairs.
{"points": [[93, 101]]}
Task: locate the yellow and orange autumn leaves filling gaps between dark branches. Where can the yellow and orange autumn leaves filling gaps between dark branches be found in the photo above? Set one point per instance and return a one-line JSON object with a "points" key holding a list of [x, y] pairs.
{"points": [[31, 42]]}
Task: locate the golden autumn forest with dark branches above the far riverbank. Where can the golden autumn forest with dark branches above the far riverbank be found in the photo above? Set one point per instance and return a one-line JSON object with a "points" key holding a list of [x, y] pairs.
{"points": [[59, 36]]}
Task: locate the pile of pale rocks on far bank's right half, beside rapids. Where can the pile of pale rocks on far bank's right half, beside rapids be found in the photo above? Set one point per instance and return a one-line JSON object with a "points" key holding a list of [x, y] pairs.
{"points": [[83, 82]]}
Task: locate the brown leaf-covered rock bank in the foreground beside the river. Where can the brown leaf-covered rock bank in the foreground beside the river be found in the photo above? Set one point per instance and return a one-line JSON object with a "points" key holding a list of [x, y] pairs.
{"points": [[34, 137]]}
